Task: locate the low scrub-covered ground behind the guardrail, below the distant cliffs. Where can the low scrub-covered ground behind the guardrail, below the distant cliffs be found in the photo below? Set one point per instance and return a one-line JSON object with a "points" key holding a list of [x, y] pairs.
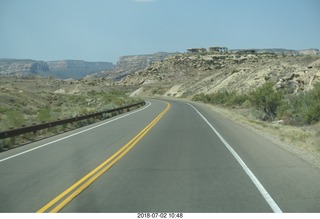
{"points": [[28, 99]]}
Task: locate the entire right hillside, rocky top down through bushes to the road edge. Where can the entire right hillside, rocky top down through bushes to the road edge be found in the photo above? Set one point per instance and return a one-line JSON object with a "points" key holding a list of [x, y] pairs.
{"points": [[234, 84]]}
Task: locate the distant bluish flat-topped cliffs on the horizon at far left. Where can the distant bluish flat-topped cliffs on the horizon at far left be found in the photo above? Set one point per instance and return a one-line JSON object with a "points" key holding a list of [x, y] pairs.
{"points": [[75, 69]]}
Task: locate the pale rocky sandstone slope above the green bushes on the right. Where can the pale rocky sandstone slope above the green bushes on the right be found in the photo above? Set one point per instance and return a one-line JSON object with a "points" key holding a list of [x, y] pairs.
{"points": [[191, 73]]}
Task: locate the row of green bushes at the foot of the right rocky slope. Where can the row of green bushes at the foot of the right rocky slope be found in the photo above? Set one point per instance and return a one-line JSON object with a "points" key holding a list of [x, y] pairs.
{"points": [[294, 109]]}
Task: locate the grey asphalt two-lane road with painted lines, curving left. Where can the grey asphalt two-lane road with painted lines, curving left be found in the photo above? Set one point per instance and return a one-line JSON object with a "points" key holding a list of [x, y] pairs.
{"points": [[169, 156]]}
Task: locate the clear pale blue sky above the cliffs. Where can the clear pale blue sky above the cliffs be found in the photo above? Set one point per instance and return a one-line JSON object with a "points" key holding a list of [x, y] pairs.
{"points": [[104, 30]]}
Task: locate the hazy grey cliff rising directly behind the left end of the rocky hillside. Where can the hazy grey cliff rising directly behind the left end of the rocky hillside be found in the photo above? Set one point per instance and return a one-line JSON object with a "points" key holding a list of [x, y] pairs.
{"points": [[129, 64]]}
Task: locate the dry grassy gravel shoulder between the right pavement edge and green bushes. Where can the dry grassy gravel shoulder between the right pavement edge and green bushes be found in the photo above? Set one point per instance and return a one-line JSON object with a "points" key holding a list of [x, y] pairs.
{"points": [[301, 141]]}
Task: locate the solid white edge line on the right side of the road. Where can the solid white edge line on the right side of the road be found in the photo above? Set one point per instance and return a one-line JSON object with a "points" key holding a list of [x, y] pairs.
{"points": [[253, 178]]}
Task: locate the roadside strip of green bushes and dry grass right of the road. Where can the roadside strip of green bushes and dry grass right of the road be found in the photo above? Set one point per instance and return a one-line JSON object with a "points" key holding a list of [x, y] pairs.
{"points": [[287, 118]]}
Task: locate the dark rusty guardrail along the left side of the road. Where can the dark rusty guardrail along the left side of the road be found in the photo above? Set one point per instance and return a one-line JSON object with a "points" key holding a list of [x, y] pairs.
{"points": [[12, 133]]}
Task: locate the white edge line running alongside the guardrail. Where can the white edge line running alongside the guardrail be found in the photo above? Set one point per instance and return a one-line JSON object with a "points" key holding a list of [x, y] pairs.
{"points": [[77, 133]]}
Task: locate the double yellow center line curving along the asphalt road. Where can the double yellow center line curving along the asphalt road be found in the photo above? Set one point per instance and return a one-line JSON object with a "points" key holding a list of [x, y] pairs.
{"points": [[59, 202]]}
